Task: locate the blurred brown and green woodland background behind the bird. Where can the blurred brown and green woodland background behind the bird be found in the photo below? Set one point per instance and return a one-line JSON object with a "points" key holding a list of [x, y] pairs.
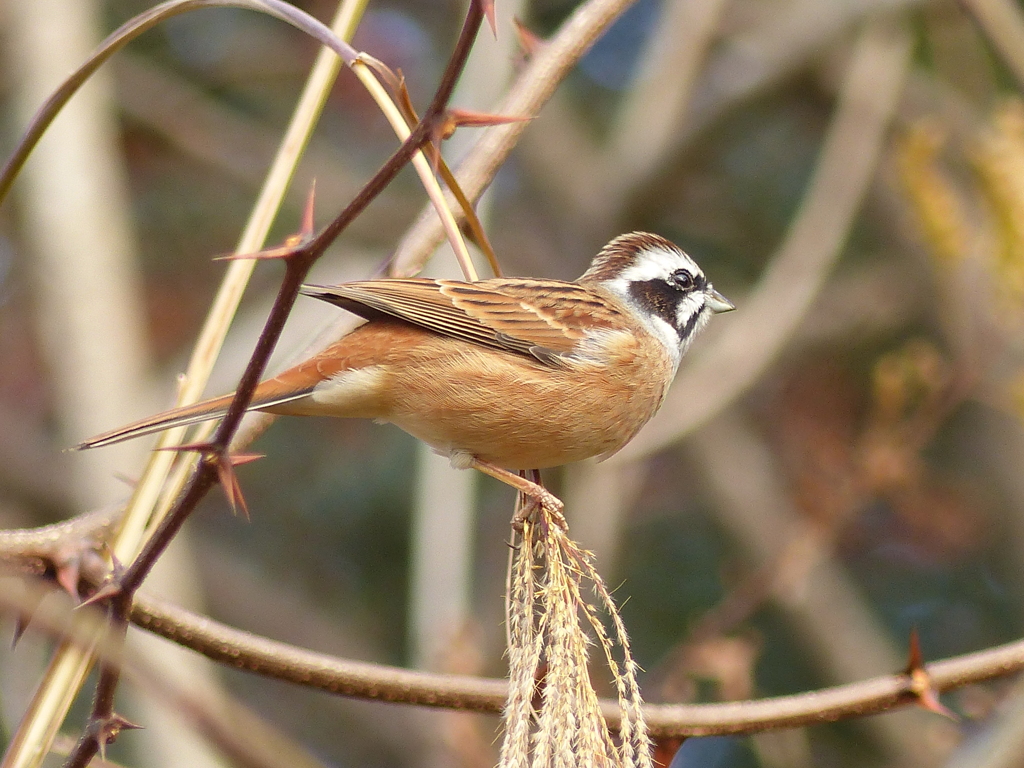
{"points": [[839, 463]]}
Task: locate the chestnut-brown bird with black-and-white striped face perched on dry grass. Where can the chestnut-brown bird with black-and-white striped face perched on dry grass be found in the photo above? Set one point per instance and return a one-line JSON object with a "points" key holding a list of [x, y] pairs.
{"points": [[502, 375]]}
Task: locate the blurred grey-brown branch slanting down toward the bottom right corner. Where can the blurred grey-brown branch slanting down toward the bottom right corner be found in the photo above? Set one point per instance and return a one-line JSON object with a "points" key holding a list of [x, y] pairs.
{"points": [[801, 576]]}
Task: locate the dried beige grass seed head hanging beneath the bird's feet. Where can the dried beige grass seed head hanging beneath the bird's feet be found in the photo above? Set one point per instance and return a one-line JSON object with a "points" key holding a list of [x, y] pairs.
{"points": [[569, 727]]}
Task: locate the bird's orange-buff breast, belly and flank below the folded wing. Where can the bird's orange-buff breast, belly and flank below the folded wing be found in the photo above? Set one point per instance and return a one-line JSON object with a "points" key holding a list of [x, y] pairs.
{"points": [[499, 407]]}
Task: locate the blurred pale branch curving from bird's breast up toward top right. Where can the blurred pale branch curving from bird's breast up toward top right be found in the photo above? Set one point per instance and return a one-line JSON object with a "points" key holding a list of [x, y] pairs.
{"points": [[729, 364]]}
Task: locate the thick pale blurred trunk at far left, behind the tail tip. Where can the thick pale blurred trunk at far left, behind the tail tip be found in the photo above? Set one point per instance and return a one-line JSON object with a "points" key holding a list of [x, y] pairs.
{"points": [[89, 288]]}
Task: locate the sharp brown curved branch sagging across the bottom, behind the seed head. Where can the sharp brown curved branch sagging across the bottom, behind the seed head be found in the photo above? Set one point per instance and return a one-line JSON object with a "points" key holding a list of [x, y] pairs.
{"points": [[364, 680]]}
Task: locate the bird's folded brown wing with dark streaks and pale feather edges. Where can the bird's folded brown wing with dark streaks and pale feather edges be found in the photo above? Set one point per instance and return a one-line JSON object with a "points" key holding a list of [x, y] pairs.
{"points": [[538, 318]]}
